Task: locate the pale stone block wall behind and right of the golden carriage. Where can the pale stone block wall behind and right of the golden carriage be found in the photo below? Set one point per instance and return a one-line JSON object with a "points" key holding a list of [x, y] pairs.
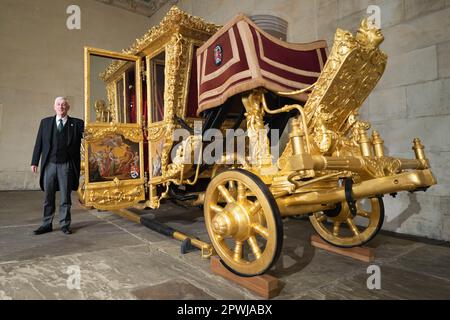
{"points": [[411, 100]]}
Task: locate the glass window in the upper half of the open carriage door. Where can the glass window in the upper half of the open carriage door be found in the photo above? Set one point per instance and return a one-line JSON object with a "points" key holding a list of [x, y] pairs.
{"points": [[112, 90]]}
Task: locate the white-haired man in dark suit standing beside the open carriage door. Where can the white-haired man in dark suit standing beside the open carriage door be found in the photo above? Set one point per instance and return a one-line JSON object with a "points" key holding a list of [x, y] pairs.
{"points": [[58, 145]]}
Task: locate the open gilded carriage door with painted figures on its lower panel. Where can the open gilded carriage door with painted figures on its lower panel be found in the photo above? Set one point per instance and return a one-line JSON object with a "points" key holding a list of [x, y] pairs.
{"points": [[113, 142]]}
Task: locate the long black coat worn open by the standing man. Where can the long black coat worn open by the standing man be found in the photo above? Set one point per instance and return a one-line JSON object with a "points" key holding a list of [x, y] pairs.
{"points": [[43, 145]]}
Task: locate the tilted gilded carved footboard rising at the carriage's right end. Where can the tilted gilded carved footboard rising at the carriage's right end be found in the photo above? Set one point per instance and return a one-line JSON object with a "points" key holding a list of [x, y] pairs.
{"points": [[352, 70]]}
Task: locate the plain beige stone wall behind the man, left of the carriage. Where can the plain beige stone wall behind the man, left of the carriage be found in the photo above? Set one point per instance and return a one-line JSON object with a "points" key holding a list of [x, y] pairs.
{"points": [[41, 59]]}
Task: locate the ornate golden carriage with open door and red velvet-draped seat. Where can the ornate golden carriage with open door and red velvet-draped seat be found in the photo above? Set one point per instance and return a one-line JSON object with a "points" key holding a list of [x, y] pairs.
{"points": [[186, 73]]}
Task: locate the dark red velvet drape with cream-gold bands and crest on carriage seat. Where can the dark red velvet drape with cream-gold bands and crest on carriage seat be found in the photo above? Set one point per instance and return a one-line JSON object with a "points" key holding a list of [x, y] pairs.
{"points": [[241, 57]]}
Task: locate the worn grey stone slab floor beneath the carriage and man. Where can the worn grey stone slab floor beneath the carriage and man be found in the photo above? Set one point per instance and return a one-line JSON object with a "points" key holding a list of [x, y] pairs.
{"points": [[119, 259]]}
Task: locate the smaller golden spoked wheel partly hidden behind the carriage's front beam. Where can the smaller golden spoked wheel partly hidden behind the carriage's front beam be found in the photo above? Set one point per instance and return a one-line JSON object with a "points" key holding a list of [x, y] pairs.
{"points": [[341, 229]]}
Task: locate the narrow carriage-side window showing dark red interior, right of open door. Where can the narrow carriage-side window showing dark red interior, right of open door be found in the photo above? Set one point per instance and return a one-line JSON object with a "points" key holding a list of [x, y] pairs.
{"points": [[157, 65]]}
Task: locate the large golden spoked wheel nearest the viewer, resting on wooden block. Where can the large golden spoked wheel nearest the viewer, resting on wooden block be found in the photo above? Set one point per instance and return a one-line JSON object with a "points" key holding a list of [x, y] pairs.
{"points": [[243, 222]]}
